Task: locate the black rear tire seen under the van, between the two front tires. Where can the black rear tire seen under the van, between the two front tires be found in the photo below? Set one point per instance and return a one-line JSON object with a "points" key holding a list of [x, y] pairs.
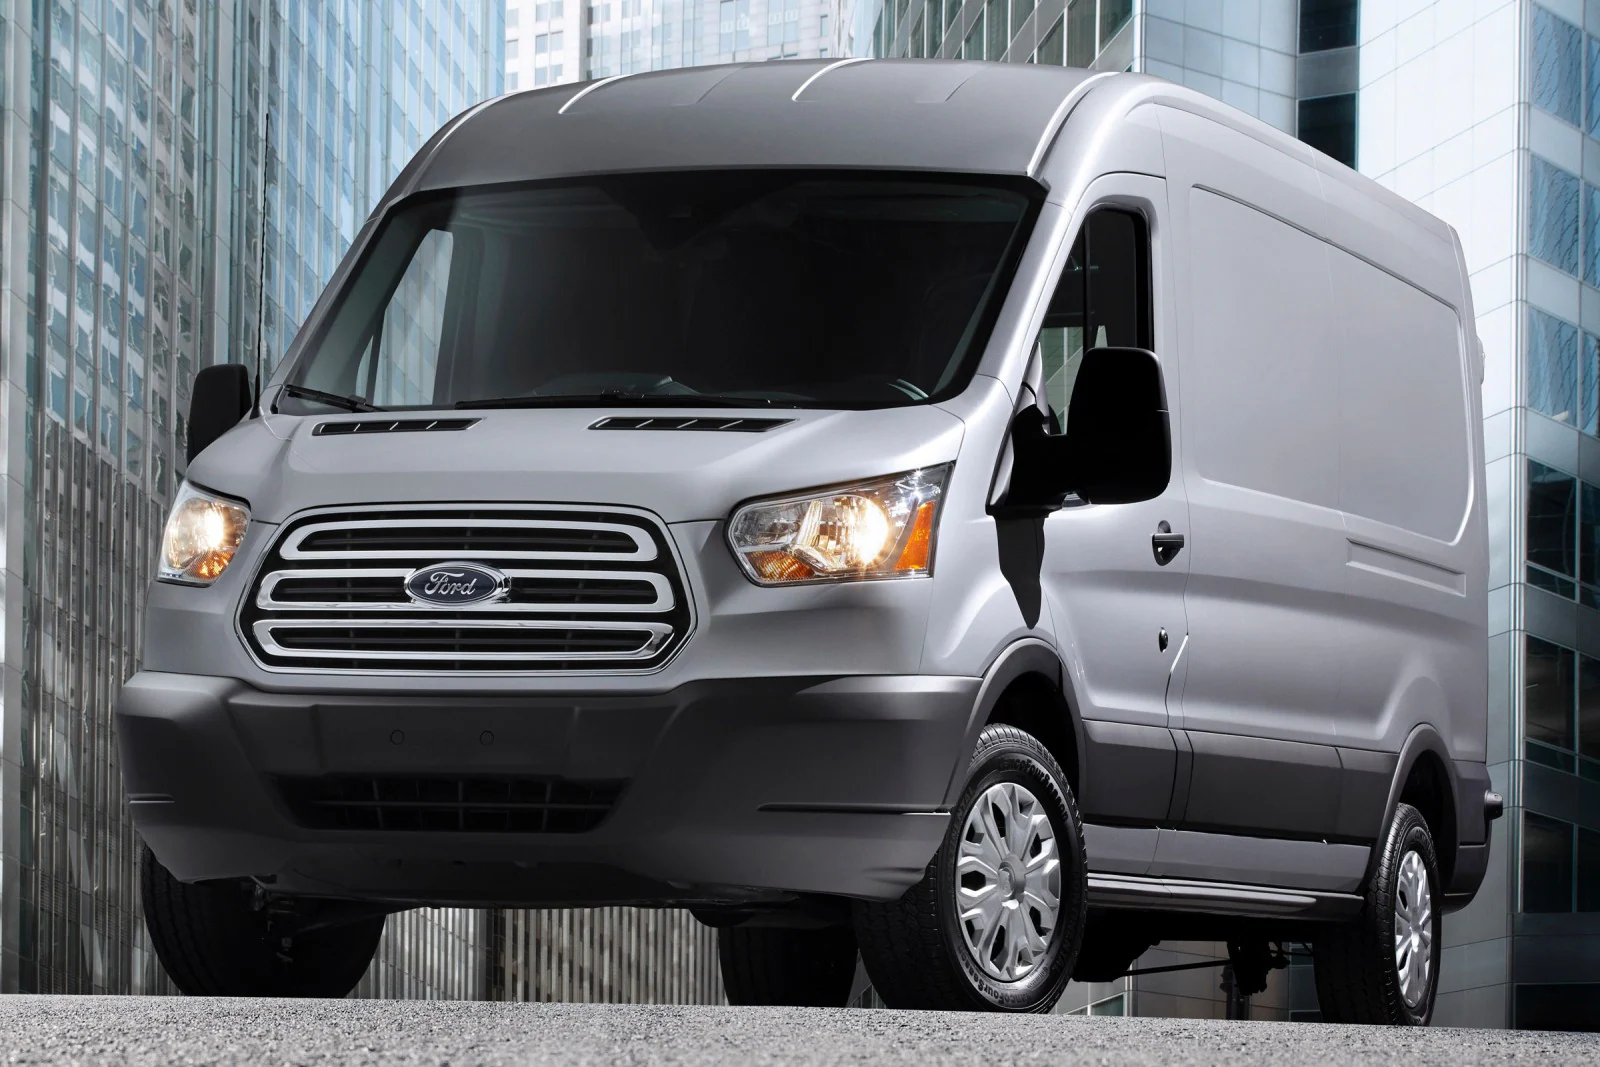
{"points": [[799, 969]]}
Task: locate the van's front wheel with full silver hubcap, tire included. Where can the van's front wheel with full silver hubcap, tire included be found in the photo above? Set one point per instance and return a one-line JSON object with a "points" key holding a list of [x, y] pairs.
{"points": [[998, 919]]}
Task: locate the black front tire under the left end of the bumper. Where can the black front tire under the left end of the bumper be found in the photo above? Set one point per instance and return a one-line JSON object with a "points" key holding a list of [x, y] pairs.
{"points": [[215, 943]]}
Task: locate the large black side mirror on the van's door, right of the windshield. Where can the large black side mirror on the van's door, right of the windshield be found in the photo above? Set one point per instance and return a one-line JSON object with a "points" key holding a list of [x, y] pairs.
{"points": [[1116, 449]]}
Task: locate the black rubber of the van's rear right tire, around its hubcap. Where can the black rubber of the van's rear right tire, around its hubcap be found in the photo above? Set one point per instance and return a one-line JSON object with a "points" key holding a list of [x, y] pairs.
{"points": [[1358, 975]]}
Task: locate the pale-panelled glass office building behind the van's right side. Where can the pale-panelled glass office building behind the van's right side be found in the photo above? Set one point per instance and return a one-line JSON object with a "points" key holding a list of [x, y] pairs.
{"points": [[1489, 116]]}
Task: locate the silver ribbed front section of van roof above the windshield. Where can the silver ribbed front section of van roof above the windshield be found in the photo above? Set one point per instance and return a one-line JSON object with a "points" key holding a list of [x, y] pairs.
{"points": [[919, 114]]}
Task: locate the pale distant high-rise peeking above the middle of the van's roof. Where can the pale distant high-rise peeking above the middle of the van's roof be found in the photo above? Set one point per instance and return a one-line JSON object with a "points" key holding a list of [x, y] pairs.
{"points": [[551, 42]]}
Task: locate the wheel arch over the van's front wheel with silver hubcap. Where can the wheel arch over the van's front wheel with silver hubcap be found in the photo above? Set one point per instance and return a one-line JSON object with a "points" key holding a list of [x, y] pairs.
{"points": [[1026, 687]]}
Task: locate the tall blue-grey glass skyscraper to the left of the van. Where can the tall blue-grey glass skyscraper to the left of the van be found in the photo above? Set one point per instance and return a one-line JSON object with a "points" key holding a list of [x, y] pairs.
{"points": [[132, 135]]}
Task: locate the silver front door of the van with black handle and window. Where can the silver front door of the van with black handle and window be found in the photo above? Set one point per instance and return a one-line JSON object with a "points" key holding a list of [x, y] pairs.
{"points": [[1114, 575]]}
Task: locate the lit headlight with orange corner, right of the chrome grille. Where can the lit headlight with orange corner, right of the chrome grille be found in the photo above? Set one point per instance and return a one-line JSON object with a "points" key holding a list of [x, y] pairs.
{"points": [[882, 529]]}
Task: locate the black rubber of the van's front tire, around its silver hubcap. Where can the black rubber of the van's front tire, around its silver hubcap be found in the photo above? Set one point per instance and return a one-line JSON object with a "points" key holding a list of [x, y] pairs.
{"points": [[916, 949]]}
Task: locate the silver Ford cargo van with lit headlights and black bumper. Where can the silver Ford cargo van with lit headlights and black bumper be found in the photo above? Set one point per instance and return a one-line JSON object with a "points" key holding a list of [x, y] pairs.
{"points": [[975, 519]]}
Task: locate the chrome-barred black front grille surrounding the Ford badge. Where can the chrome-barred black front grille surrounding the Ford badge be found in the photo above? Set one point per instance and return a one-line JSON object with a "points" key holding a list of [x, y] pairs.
{"points": [[588, 589]]}
